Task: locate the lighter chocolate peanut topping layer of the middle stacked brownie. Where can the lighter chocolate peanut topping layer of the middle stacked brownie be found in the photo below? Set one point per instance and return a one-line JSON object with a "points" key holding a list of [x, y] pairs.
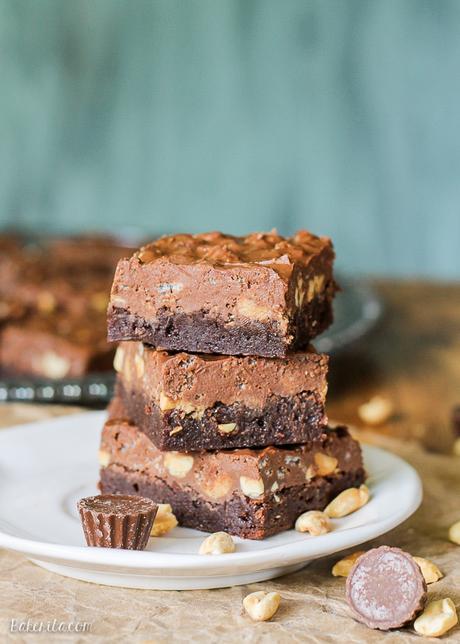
{"points": [[198, 381]]}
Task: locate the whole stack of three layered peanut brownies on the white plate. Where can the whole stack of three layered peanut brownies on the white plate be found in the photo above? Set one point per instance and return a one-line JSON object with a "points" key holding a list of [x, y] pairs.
{"points": [[220, 403]]}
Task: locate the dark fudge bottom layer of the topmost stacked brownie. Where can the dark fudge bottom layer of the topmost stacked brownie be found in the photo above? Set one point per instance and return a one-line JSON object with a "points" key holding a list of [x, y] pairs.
{"points": [[203, 334]]}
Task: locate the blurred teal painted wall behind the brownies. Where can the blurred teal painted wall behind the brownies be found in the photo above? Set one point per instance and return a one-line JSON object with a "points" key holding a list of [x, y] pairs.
{"points": [[339, 115]]}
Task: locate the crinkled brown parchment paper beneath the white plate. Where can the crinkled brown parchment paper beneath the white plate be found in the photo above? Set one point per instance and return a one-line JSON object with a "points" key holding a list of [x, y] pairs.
{"points": [[313, 607]]}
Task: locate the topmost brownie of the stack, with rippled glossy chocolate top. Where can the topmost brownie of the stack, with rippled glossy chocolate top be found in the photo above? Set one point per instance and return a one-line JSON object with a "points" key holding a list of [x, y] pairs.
{"points": [[262, 294]]}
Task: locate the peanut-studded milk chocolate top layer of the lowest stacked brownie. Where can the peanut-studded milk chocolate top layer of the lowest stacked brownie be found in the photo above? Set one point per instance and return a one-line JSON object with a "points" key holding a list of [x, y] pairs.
{"points": [[256, 474]]}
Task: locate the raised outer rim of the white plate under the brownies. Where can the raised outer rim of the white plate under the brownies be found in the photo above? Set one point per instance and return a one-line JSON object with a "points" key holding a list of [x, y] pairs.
{"points": [[169, 564]]}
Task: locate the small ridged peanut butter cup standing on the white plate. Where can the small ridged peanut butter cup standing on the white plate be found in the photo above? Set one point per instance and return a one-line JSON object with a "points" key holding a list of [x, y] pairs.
{"points": [[117, 521]]}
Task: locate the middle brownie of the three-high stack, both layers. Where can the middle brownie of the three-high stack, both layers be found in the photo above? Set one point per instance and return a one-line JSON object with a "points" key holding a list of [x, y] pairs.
{"points": [[186, 401]]}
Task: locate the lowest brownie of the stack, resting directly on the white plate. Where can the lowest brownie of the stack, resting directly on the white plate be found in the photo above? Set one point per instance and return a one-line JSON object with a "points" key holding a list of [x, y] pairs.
{"points": [[250, 493]]}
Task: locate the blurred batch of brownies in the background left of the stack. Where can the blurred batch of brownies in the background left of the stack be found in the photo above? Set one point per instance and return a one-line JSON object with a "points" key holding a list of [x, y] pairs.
{"points": [[53, 302]]}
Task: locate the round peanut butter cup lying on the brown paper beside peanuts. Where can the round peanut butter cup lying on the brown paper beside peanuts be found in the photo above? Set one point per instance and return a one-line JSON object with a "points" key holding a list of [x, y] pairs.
{"points": [[386, 588]]}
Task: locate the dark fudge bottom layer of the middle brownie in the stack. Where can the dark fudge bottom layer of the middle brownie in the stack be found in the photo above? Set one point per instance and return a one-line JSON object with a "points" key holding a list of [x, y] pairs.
{"points": [[296, 419]]}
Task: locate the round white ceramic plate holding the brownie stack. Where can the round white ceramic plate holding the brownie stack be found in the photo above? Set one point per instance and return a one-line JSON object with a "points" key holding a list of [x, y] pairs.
{"points": [[46, 467]]}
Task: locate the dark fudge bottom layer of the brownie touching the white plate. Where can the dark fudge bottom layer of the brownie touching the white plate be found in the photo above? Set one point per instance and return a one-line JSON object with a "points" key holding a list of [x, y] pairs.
{"points": [[239, 515]]}
